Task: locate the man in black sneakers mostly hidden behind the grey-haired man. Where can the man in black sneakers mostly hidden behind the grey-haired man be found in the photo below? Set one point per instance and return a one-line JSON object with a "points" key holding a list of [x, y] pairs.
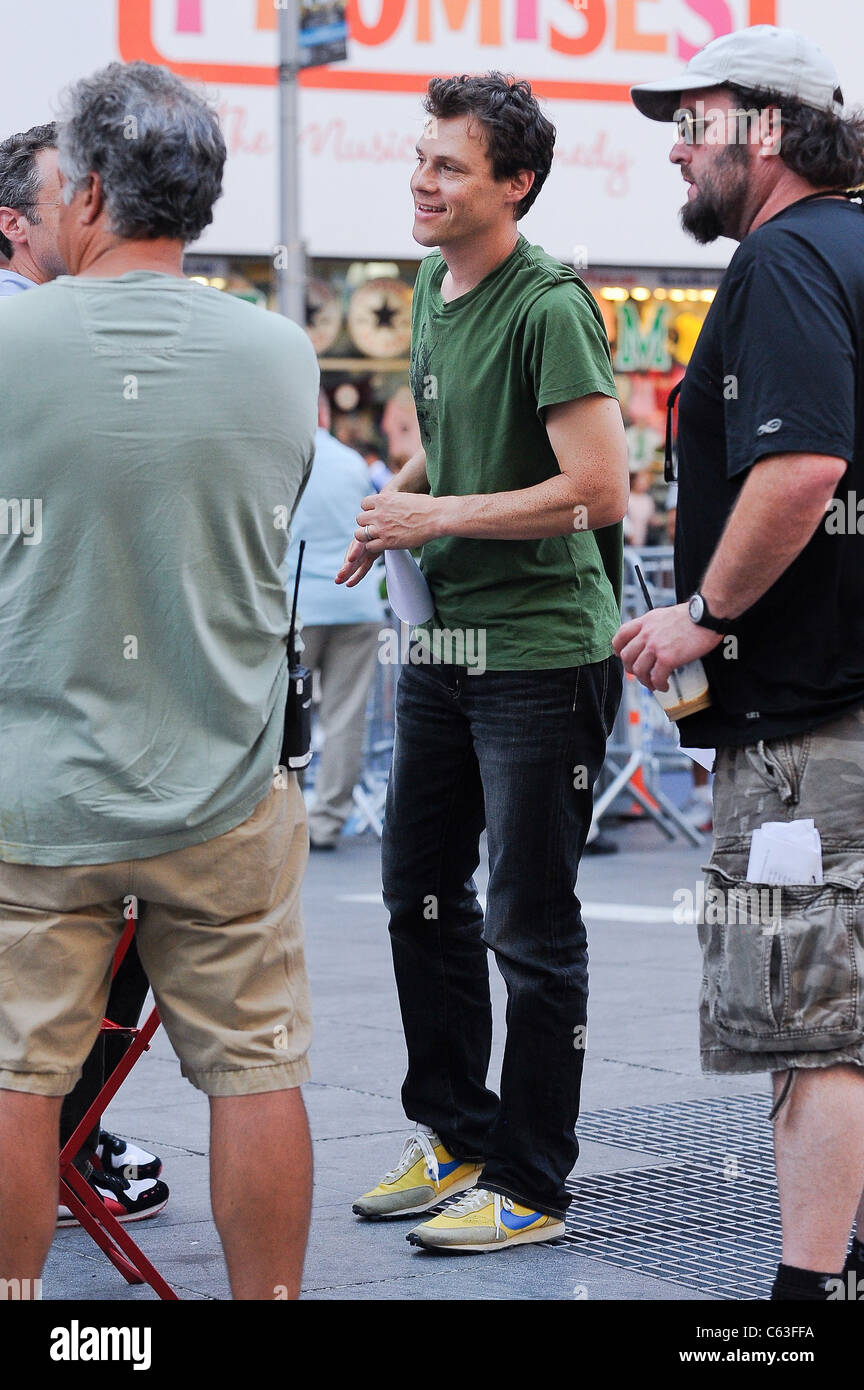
{"points": [[123, 1175]]}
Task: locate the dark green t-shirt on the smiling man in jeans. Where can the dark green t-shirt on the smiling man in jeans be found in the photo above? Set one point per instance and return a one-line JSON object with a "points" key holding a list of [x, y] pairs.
{"points": [[484, 368]]}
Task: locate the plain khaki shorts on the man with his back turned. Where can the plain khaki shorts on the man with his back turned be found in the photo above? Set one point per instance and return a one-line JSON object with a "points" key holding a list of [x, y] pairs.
{"points": [[220, 935]]}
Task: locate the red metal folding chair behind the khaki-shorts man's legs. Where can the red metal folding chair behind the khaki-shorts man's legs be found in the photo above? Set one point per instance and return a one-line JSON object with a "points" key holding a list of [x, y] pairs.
{"points": [[77, 1193]]}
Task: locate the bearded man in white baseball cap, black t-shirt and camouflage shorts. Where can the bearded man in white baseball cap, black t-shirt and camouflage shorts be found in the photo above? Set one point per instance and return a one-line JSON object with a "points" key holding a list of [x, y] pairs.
{"points": [[770, 575]]}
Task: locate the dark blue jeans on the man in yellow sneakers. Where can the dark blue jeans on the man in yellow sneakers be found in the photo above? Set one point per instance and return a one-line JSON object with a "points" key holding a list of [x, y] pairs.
{"points": [[516, 753]]}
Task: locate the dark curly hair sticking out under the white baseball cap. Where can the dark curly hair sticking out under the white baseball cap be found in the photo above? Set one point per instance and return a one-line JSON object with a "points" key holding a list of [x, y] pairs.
{"points": [[826, 148]]}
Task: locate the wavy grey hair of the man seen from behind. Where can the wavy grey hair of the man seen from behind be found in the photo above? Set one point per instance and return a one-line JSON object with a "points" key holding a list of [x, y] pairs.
{"points": [[155, 144]]}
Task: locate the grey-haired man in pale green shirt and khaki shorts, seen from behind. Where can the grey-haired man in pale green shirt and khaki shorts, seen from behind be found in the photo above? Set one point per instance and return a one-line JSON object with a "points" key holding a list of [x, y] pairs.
{"points": [[156, 437]]}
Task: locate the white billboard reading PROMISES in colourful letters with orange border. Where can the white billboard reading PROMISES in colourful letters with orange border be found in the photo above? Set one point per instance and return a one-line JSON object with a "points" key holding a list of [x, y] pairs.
{"points": [[612, 198]]}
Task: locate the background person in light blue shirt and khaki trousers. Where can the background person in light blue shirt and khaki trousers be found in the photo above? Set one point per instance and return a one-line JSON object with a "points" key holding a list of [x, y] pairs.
{"points": [[340, 629]]}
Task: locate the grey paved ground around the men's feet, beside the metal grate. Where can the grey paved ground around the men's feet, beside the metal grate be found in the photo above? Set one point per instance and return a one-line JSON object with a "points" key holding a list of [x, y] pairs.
{"points": [[642, 1053]]}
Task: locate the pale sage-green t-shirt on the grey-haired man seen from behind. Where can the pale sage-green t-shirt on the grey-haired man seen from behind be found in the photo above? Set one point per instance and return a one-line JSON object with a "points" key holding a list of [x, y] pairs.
{"points": [[155, 439]]}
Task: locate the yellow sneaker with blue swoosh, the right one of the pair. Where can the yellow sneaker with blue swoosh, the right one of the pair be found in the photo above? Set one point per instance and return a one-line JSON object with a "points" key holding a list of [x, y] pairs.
{"points": [[485, 1221]]}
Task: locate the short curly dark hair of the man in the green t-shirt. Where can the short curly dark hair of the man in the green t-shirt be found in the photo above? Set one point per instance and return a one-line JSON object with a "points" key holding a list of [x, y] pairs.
{"points": [[517, 133]]}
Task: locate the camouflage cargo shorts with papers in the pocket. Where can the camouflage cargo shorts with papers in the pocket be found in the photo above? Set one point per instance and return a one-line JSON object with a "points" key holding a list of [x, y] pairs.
{"points": [[784, 967]]}
